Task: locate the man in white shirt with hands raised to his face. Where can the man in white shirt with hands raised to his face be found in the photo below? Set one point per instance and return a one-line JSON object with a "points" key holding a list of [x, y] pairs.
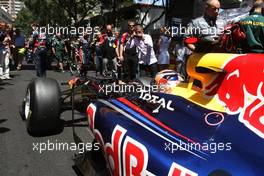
{"points": [[146, 54]]}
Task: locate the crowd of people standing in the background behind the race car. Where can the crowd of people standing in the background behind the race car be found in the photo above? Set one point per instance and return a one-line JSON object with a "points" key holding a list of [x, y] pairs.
{"points": [[129, 55]]}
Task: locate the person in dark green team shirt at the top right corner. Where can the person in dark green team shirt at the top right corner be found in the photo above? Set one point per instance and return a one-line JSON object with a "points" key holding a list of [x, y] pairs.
{"points": [[253, 26]]}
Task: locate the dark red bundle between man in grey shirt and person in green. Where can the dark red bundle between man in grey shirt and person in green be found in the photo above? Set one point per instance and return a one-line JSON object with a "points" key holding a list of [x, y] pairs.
{"points": [[232, 38]]}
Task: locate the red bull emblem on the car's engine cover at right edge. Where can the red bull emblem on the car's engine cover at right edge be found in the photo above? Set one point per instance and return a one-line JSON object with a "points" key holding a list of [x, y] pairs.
{"points": [[241, 90]]}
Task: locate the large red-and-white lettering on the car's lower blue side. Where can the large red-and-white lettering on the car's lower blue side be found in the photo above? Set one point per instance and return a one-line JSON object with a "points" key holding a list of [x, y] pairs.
{"points": [[127, 156]]}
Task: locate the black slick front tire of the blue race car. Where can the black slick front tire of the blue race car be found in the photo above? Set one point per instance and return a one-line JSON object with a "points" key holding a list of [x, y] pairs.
{"points": [[42, 107]]}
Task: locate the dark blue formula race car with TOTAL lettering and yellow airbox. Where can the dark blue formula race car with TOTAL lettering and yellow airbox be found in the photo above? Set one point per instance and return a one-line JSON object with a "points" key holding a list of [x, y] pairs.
{"points": [[211, 125]]}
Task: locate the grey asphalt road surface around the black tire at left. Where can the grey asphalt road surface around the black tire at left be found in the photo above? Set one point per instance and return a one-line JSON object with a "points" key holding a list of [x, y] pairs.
{"points": [[17, 157]]}
